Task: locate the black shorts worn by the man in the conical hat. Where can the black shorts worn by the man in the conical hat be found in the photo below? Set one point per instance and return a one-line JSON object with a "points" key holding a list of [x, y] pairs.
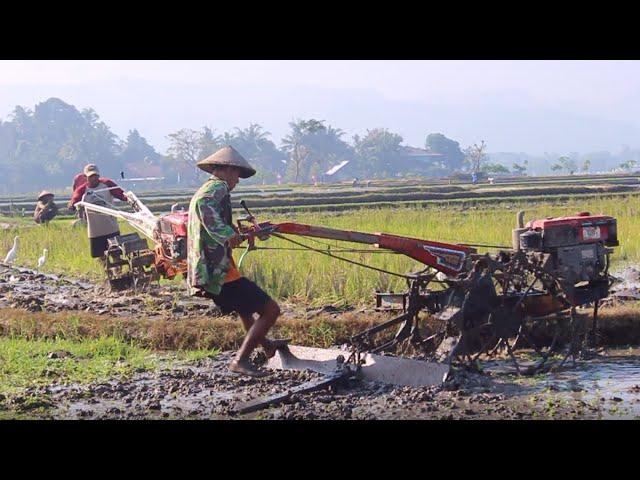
{"points": [[242, 296]]}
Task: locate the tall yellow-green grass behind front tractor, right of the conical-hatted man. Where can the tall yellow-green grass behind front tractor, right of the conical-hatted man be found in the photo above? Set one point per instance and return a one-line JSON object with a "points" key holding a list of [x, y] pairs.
{"points": [[314, 278]]}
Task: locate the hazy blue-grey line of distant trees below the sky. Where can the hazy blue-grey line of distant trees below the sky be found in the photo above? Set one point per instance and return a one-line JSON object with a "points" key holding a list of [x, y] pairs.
{"points": [[45, 147]]}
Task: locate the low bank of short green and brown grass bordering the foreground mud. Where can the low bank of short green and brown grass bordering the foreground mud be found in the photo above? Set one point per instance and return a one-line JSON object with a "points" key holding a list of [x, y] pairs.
{"points": [[44, 349]]}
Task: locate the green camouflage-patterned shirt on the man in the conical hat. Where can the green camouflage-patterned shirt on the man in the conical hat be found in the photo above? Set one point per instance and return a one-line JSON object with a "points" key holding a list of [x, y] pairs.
{"points": [[208, 231]]}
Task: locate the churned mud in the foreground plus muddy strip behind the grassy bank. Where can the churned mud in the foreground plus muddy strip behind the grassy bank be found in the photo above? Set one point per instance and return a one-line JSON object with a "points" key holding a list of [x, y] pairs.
{"points": [[607, 385]]}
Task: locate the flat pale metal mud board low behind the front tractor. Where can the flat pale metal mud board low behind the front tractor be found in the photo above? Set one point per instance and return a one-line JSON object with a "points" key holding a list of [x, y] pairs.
{"points": [[377, 368]]}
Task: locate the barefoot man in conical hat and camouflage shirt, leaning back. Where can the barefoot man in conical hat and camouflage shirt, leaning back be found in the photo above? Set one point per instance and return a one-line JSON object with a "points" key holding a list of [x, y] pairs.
{"points": [[212, 272]]}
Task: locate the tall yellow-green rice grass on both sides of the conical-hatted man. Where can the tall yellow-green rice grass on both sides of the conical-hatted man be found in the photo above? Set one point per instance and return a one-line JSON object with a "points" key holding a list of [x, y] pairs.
{"points": [[291, 274]]}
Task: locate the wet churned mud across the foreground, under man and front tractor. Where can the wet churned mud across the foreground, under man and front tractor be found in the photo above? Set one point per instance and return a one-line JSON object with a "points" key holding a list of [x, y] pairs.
{"points": [[606, 387]]}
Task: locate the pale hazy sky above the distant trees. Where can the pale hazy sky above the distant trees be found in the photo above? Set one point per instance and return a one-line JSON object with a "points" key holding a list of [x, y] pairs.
{"points": [[519, 106]]}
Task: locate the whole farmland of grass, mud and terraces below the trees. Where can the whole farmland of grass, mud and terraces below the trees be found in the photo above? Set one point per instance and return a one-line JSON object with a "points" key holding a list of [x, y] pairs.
{"points": [[118, 358]]}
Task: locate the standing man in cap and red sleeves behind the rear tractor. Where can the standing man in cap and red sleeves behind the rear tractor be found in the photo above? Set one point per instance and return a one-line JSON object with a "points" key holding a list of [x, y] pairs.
{"points": [[99, 191]]}
